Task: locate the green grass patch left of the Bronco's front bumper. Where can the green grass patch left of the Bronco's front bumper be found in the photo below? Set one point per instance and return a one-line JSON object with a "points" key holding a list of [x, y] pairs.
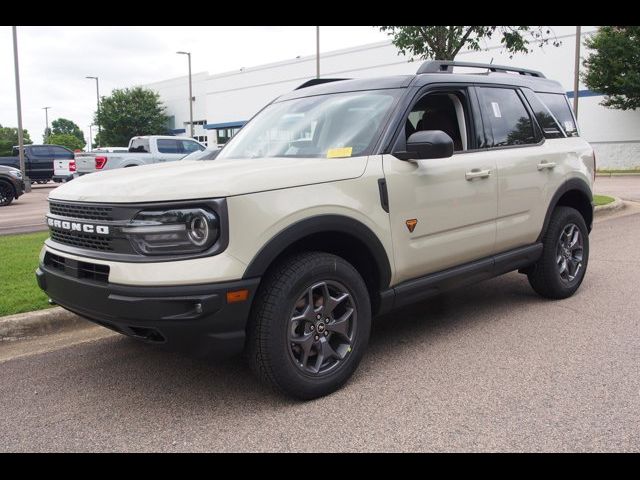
{"points": [[19, 291]]}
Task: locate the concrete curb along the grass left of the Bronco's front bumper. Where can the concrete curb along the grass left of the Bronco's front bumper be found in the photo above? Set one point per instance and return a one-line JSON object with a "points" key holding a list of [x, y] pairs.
{"points": [[39, 322]]}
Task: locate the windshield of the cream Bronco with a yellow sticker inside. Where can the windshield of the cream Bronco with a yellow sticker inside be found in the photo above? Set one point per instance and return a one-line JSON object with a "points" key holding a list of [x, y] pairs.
{"points": [[340, 124]]}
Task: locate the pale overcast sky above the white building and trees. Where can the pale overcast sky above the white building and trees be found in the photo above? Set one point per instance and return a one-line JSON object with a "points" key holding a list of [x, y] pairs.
{"points": [[54, 61]]}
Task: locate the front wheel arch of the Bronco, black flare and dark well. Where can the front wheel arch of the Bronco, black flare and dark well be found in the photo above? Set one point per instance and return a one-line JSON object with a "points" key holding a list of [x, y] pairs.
{"points": [[336, 234]]}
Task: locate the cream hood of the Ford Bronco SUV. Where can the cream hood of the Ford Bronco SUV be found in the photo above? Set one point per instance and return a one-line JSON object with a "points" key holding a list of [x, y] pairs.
{"points": [[192, 179]]}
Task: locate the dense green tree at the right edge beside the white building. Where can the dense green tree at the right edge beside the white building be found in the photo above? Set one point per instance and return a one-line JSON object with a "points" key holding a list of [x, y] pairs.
{"points": [[614, 66]]}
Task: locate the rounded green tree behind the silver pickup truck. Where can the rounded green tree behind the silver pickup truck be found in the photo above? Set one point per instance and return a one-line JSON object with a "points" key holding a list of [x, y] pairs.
{"points": [[128, 113]]}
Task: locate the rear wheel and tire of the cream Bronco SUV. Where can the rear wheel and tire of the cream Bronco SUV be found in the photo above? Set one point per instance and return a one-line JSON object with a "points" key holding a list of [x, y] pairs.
{"points": [[561, 268]]}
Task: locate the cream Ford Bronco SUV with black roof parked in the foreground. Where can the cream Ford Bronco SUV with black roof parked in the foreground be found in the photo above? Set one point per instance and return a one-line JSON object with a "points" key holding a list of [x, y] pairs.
{"points": [[337, 202]]}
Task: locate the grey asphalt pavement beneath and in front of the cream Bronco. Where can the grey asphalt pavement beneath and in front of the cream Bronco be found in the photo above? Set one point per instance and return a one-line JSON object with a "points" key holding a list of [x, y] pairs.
{"points": [[491, 367]]}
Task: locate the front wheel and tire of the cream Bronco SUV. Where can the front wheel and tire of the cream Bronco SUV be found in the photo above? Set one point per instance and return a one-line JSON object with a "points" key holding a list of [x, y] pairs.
{"points": [[309, 357]]}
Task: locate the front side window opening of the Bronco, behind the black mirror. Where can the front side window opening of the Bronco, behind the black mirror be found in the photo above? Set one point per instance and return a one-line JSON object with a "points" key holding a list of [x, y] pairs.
{"points": [[444, 111]]}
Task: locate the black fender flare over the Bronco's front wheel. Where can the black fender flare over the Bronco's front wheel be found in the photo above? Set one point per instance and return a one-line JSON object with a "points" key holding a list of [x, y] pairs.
{"points": [[321, 224]]}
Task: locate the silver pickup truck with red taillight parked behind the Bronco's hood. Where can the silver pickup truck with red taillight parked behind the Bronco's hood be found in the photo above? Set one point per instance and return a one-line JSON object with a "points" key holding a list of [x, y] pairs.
{"points": [[144, 150]]}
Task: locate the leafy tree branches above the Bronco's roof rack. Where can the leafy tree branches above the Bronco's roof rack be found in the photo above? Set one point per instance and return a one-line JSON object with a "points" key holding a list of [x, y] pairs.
{"points": [[444, 43]]}
